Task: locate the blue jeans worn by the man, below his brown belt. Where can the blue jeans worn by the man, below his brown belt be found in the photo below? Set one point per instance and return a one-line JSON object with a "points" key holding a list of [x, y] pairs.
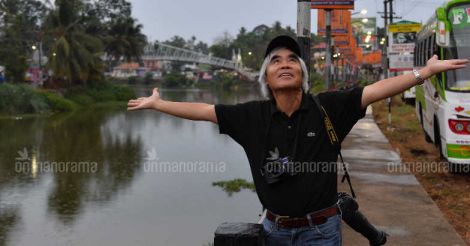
{"points": [[326, 234]]}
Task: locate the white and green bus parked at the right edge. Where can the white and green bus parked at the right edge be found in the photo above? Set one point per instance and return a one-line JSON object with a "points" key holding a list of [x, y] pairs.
{"points": [[443, 101]]}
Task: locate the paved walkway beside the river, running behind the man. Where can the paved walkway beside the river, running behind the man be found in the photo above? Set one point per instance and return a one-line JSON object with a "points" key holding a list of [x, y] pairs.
{"points": [[393, 201]]}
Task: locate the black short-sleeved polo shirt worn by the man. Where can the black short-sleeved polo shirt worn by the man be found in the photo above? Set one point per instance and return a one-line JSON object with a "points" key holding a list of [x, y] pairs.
{"points": [[265, 134]]}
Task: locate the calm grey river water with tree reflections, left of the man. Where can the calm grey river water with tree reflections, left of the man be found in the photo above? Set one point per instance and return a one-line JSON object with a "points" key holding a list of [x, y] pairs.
{"points": [[110, 188]]}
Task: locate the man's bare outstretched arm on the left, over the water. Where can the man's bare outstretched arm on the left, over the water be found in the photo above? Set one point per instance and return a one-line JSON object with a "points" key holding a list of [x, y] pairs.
{"points": [[186, 110]]}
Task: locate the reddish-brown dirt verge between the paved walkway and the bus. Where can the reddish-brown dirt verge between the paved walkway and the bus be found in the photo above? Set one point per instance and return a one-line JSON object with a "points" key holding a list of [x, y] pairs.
{"points": [[449, 191]]}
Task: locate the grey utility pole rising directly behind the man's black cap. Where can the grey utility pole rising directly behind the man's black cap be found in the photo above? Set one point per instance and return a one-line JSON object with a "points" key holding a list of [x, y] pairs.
{"points": [[304, 30]]}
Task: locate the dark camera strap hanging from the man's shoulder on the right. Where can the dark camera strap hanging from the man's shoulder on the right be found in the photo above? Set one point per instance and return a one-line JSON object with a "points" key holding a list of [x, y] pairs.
{"points": [[334, 140]]}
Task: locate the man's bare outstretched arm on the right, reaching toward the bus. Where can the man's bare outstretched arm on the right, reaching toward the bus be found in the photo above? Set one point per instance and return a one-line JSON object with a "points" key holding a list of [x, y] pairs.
{"points": [[395, 85]]}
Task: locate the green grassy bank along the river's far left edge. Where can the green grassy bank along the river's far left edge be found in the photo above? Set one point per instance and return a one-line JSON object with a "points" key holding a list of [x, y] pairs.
{"points": [[22, 99]]}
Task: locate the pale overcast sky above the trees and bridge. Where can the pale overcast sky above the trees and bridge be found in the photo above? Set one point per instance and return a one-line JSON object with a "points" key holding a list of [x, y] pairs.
{"points": [[209, 19]]}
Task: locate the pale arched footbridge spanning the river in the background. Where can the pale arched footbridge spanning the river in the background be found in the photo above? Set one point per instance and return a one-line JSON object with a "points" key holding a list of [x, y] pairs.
{"points": [[165, 52]]}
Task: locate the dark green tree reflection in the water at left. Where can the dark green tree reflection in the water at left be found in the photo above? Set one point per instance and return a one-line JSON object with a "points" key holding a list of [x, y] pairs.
{"points": [[85, 159]]}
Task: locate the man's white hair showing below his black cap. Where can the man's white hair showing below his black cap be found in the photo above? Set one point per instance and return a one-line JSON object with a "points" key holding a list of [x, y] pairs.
{"points": [[265, 91]]}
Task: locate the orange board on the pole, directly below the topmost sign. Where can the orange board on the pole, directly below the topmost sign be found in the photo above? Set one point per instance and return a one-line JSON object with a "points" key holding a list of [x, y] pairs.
{"points": [[340, 21]]}
